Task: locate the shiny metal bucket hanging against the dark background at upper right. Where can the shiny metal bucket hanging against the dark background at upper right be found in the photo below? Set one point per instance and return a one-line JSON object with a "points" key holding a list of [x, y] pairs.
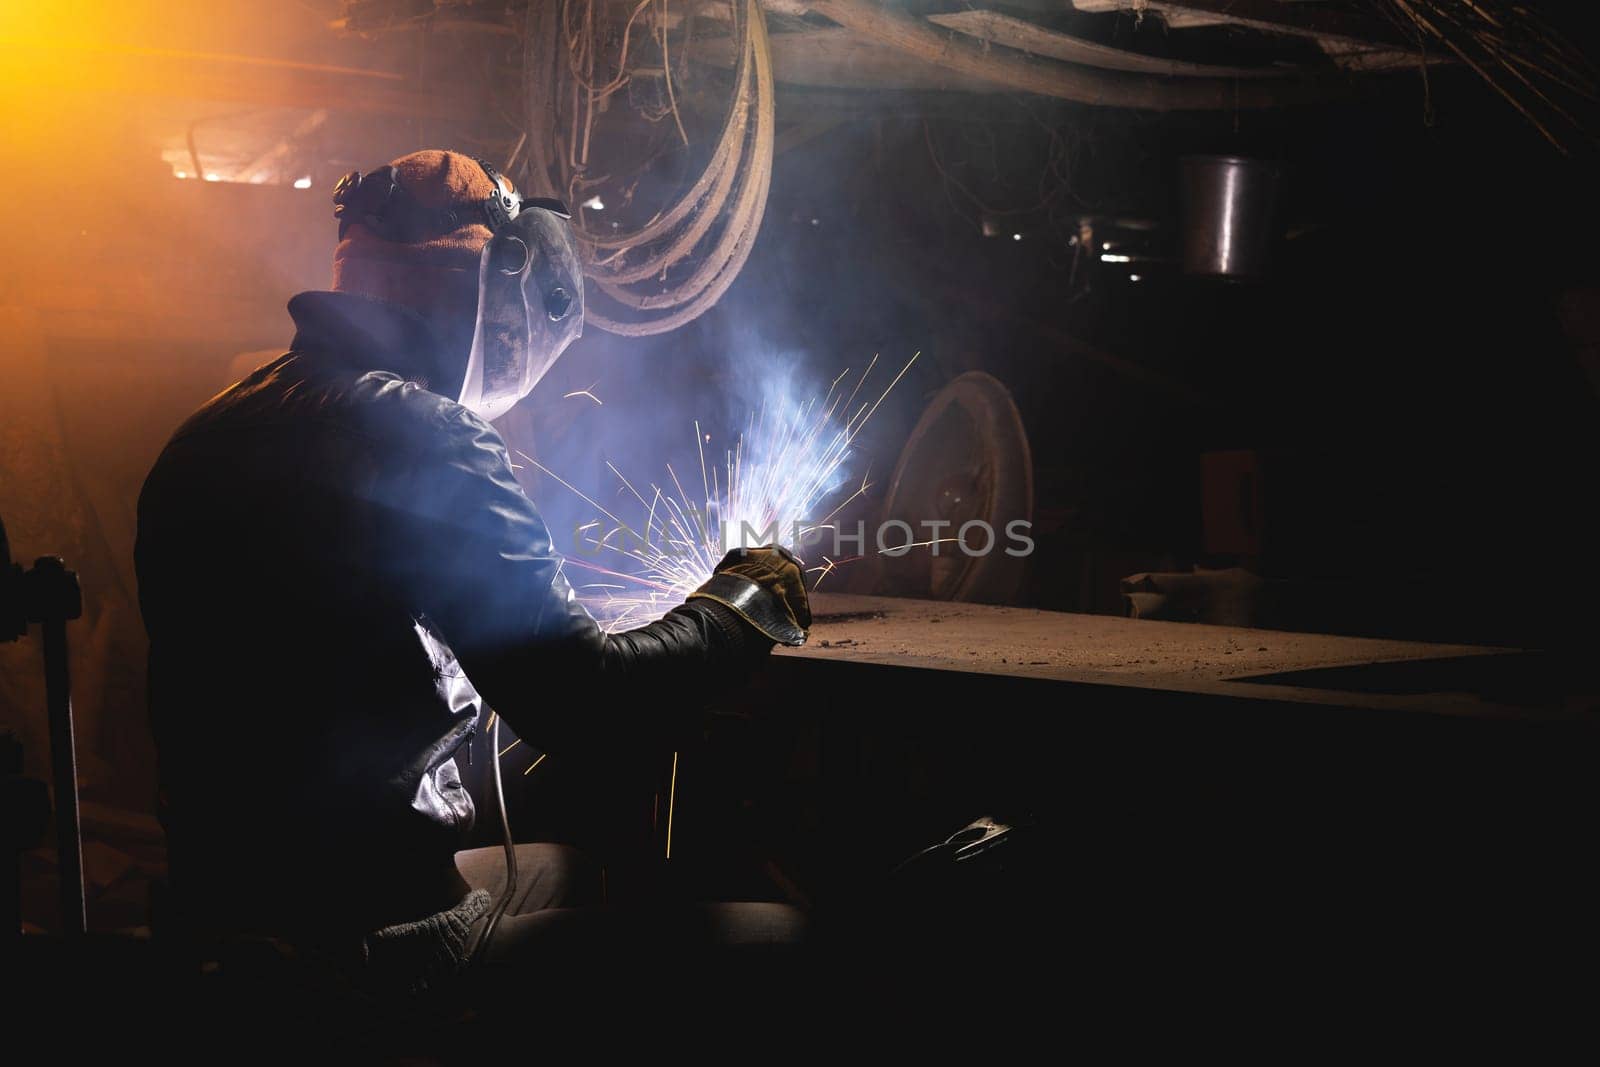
{"points": [[1233, 215]]}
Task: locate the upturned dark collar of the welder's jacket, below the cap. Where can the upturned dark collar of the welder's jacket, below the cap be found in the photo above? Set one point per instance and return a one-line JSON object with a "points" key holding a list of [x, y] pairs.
{"points": [[375, 335]]}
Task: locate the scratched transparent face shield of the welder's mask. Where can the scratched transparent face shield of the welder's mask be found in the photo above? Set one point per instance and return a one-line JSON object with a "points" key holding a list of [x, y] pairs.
{"points": [[530, 310]]}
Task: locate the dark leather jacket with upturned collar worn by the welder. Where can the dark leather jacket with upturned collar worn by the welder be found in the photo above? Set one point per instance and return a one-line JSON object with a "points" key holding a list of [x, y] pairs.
{"points": [[334, 565]]}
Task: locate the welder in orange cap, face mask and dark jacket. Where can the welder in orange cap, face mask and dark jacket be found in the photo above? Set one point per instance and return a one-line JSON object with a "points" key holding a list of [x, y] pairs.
{"points": [[340, 577]]}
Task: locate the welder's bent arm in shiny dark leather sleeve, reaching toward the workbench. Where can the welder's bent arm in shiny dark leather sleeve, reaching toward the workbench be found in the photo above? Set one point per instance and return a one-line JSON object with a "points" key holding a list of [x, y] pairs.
{"points": [[502, 596]]}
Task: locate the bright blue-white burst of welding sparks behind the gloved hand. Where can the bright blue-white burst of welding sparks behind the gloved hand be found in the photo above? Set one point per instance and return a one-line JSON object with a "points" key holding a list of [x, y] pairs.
{"points": [[770, 486]]}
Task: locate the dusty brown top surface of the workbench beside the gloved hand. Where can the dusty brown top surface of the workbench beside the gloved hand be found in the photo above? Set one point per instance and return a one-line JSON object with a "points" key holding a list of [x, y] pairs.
{"points": [[1182, 658]]}
